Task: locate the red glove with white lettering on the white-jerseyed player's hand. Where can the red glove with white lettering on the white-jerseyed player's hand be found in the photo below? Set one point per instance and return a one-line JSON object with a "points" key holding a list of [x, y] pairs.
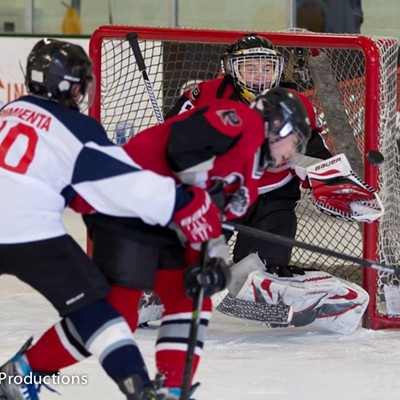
{"points": [[199, 220]]}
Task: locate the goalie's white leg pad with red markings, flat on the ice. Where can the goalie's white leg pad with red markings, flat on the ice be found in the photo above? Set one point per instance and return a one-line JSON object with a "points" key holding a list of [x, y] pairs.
{"points": [[318, 299]]}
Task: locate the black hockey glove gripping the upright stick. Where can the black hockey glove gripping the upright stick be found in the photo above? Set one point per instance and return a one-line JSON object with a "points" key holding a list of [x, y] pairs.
{"points": [[213, 277]]}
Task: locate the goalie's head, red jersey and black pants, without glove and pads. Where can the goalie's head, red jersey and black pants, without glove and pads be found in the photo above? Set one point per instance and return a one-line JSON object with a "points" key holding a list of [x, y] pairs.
{"points": [[252, 65]]}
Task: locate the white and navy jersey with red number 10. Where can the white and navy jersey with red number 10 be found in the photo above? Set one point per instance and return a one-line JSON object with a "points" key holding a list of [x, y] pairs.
{"points": [[48, 153]]}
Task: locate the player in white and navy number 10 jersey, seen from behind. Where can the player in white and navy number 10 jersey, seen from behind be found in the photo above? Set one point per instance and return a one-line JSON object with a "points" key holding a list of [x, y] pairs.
{"points": [[49, 151]]}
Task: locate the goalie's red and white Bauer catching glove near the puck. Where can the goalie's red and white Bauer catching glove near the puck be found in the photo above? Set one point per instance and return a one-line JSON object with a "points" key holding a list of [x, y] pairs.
{"points": [[336, 190]]}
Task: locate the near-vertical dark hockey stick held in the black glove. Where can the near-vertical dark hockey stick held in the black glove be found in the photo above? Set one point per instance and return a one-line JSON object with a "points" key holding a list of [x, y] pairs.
{"points": [[194, 328]]}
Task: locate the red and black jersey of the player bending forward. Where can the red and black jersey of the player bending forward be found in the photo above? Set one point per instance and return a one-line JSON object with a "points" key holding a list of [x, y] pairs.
{"points": [[215, 141]]}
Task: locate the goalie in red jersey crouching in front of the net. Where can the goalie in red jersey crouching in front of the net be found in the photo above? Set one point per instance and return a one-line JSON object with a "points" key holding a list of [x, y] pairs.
{"points": [[251, 65]]}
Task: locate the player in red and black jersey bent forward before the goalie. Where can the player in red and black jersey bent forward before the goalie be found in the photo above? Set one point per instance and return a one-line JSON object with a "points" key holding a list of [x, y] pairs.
{"points": [[230, 146]]}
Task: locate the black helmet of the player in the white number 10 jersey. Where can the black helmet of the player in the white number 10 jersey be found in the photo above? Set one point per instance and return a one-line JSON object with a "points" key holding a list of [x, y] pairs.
{"points": [[54, 67]]}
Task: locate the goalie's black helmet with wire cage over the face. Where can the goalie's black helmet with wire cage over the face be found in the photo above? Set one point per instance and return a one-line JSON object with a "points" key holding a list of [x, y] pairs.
{"points": [[253, 64]]}
